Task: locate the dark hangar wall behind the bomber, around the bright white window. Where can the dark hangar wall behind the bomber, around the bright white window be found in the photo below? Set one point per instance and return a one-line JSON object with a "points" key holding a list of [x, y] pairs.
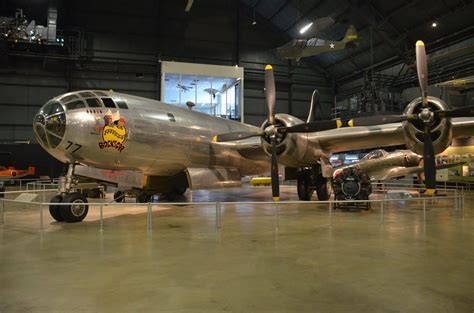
{"points": [[108, 51]]}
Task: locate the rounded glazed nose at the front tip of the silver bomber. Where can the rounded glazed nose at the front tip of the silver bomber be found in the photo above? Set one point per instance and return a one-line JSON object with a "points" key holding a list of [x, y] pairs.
{"points": [[50, 124]]}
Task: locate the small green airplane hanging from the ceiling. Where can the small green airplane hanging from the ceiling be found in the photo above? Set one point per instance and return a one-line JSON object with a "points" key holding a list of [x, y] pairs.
{"points": [[302, 48]]}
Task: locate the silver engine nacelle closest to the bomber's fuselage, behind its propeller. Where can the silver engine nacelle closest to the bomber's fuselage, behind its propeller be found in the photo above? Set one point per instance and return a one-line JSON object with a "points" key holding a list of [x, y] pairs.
{"points": [[293, 150]]}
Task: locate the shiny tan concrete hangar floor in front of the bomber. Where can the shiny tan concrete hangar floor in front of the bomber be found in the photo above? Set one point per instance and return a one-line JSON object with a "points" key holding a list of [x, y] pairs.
{"points": [[354, 264]]}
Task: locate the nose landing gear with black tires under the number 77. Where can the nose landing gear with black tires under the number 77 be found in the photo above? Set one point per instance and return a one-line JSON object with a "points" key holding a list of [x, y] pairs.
{"points": [[76, 209]]}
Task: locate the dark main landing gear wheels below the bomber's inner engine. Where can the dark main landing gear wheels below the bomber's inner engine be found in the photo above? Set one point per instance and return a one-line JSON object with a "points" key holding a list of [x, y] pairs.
{"points": [[310, 179]]}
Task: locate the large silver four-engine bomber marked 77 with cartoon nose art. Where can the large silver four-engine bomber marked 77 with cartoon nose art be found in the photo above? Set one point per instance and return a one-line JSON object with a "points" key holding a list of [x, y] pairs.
{"points": [[120, 136]]}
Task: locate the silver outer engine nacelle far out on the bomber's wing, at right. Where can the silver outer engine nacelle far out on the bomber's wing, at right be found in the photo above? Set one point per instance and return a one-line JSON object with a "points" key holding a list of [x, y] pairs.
{"points": [[441, 129]]}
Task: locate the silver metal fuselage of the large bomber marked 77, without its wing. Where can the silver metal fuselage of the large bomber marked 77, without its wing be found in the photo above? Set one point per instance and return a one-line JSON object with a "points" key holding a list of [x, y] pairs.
{"points": [[161, 139]]}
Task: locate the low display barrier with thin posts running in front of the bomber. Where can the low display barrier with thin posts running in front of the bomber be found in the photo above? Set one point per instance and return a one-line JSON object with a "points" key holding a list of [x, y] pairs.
{"points": [[457, 198]]}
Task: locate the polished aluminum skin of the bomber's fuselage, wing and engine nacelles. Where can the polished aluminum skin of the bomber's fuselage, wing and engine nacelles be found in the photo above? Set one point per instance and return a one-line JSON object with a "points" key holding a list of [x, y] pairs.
{"points": [[155, 138]]}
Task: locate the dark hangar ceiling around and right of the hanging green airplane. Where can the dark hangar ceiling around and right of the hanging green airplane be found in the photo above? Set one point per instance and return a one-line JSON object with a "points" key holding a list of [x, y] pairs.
{"points": [[395, 26]]}
